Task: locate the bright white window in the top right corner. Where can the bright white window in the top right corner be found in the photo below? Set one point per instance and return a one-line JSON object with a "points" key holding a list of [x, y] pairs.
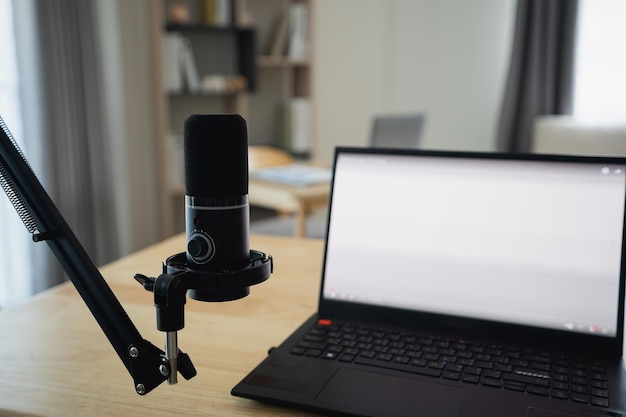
{"points": [[600, 80]]}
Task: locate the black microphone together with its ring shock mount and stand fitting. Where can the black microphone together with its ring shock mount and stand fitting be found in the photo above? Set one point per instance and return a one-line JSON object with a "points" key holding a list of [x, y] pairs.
{"points": [[218, 264]]}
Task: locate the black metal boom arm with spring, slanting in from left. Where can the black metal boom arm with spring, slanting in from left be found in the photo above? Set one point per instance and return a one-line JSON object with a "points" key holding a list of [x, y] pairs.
{"points": [[145, 362]]}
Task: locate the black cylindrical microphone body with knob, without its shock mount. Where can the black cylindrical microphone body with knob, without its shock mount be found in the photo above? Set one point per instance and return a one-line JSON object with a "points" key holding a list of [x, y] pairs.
{"points": [[217, 213]]}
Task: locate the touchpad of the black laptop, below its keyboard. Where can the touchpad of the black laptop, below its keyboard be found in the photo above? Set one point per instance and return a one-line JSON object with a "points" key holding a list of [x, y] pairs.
{"points": [[392, 395]]}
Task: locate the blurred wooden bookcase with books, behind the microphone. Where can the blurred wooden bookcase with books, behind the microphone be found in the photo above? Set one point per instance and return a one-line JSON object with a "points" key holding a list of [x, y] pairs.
{"points": [[274, 83]]}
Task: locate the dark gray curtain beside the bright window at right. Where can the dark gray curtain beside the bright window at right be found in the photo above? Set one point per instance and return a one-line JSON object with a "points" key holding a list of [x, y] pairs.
{"points": [[540, 78]]}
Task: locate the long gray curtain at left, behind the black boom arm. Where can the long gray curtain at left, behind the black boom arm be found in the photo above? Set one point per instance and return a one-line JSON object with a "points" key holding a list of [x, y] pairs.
{"points": [[70, 139]]}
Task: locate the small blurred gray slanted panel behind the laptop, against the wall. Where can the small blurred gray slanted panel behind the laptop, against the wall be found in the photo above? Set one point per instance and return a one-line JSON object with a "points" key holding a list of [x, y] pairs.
{"points": [[397, 131]]}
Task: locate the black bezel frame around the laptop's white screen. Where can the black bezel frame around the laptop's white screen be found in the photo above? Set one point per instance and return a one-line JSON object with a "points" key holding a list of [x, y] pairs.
{"points": [[465, 327]]}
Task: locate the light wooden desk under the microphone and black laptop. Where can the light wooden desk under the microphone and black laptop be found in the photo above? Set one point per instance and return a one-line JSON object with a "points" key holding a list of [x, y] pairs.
{"points": [[55, 360]]}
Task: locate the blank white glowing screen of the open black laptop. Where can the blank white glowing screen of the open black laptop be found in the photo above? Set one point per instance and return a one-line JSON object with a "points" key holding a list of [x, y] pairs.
{"points": [[530, 241]]}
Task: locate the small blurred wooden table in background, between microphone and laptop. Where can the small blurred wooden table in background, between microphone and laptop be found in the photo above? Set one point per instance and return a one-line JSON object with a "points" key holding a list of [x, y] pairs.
{"points": [[290, 199]]}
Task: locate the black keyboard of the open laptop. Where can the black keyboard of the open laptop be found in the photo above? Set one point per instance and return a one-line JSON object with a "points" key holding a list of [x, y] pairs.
{"points": [[459, 360]]}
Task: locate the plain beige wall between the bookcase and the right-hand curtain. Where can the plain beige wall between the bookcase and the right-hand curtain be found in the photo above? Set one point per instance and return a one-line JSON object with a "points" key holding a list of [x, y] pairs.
{"points": [[445, 58]]}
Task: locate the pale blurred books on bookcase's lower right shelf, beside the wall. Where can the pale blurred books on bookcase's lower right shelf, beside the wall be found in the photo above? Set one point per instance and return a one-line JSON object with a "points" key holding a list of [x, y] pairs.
{"points": [[295, 126]]}
